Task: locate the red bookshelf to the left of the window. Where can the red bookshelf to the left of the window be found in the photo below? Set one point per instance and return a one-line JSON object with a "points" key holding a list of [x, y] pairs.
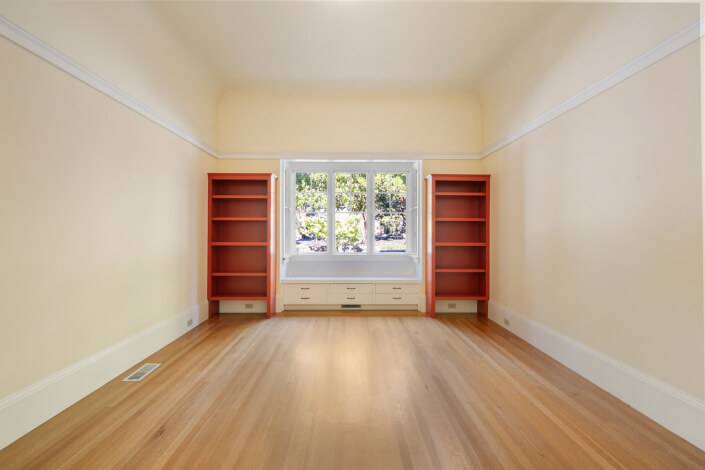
{"points": [[241, 238]]}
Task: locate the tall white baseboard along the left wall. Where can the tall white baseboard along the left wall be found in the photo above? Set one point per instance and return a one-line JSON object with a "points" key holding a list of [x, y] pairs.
{"points": [[32, 406]]}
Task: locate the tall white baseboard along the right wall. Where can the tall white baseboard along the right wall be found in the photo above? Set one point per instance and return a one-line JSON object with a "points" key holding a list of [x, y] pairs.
{"points": [[673, 409]]}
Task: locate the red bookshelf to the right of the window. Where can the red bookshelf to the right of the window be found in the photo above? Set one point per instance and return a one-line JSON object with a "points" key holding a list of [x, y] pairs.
{"points": [[457, 240]]}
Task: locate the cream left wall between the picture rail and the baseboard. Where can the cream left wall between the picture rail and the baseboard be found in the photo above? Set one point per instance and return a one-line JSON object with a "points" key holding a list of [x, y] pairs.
{"points": [[103, 229]]}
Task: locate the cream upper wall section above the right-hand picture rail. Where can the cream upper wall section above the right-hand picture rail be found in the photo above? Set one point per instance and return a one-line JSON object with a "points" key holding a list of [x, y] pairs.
{"points": [[570, 50]]}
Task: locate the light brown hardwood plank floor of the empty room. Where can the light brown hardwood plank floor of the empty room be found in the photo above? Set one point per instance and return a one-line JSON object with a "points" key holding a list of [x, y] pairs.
{"points": [[306, 390]]}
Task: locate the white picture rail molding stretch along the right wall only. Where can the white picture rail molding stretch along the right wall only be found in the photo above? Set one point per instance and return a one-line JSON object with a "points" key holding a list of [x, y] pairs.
{"points": [[669, 46]]}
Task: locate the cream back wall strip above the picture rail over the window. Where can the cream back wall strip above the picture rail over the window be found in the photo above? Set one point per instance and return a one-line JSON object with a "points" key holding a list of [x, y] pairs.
{"points": [[393, 121]]}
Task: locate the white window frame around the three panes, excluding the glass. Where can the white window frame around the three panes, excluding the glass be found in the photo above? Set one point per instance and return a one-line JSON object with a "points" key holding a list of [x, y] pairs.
{"points": [[369, 167]]}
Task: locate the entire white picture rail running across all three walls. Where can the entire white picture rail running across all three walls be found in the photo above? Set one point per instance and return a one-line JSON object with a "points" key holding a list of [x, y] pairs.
{"points": [[33, 44]]}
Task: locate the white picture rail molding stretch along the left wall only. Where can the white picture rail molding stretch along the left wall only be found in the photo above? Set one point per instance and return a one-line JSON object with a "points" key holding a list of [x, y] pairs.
{"points": [[39, 48]]}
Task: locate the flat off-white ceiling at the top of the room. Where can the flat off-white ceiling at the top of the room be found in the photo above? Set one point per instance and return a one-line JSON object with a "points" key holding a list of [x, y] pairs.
{"points": [[351, 44]]}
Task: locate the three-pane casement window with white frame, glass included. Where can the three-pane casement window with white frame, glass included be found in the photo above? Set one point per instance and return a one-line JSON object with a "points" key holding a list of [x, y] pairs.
{"points": [[350, 209]]}
